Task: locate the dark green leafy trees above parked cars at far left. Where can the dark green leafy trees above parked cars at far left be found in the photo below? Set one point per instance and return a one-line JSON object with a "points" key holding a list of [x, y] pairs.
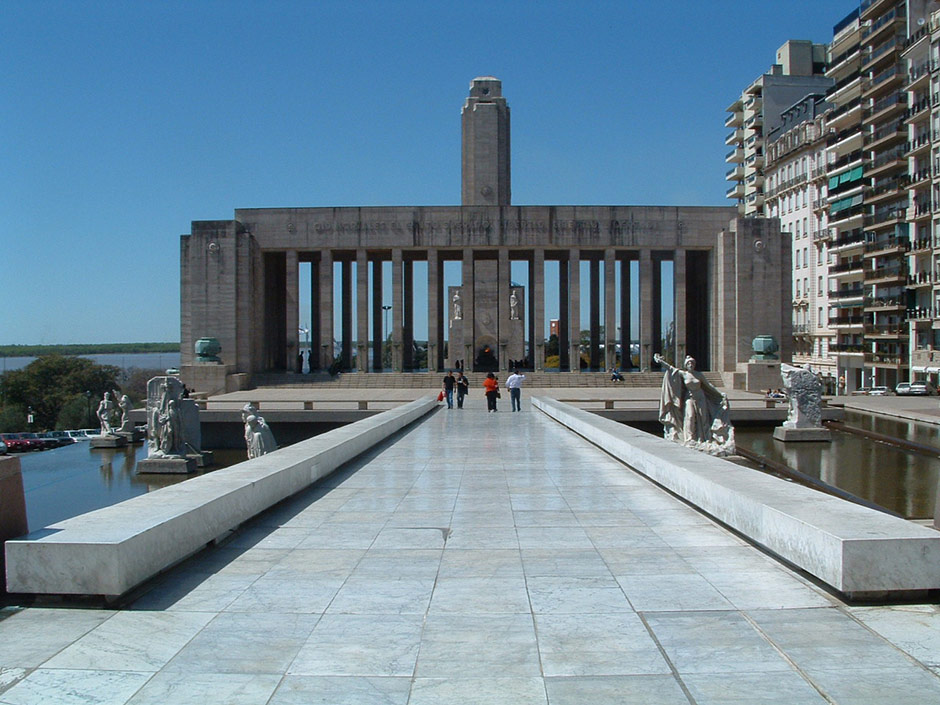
{"points": [[47, 383]]}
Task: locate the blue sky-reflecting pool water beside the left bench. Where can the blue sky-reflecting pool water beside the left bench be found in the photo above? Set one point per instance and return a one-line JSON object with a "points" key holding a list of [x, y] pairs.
{"points": [[69, 481]]}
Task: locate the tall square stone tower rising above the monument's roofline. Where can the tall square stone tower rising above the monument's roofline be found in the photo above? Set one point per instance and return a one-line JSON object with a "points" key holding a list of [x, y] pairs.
{"points": [[485, 162]]}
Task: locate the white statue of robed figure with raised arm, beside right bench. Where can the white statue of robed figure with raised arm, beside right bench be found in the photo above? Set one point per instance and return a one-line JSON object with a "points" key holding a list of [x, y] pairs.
{"points": [[693, 411]]}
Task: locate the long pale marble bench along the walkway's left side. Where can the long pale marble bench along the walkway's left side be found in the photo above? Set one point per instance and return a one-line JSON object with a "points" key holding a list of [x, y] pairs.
{"points": [[109, 551]]}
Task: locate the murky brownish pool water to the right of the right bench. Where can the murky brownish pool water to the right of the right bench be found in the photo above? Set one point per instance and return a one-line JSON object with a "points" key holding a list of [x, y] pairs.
{"points": [[897, 479]]}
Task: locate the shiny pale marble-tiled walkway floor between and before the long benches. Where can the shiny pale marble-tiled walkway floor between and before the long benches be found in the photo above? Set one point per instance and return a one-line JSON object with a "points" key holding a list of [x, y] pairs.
{"points": [[479, 558]]}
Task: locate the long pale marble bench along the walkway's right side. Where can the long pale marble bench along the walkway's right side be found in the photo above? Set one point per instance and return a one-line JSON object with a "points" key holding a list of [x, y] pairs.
{"points": [[859, 552]]}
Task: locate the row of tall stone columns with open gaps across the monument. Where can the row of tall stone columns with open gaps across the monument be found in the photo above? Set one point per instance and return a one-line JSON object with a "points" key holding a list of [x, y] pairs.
{"points": [[332, 271]]}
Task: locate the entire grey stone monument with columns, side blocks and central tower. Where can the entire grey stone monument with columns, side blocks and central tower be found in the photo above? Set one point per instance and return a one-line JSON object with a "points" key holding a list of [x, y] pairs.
{"points": [[241, 282]]}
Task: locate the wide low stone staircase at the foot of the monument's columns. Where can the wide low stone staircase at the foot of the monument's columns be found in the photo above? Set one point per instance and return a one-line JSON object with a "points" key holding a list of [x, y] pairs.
{"points": [[424, 380]]}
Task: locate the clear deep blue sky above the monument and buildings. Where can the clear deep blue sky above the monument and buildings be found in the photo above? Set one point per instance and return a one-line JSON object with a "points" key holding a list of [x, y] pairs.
{"points": [[124, 121]]}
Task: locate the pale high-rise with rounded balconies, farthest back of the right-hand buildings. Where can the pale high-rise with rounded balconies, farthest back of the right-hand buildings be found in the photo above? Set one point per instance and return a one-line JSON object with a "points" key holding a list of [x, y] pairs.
{"points": [[798, 72]]}
